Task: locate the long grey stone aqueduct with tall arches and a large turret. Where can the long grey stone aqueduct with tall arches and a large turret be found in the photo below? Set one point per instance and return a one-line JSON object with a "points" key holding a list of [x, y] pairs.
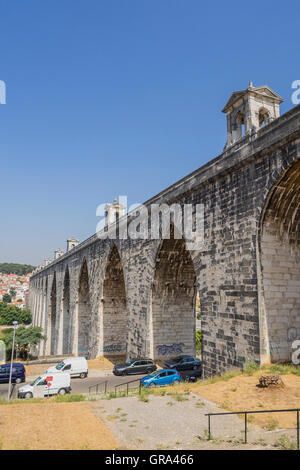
{"points": [[137, 297]]}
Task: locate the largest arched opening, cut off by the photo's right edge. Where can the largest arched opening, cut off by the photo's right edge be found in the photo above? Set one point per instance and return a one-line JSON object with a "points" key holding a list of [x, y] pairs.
{"points": [[280, 267]]}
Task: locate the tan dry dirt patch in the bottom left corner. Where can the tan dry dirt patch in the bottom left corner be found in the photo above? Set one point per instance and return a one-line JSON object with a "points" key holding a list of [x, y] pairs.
{"points": [[54, 426]]}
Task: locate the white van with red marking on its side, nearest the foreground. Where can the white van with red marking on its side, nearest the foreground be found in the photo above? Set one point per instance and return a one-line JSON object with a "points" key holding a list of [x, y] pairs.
{"points": [[46, 385]]}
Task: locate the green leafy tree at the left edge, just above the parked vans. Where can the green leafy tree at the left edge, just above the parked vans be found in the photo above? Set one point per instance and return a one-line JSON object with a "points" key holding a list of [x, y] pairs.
{"points": [[25, 337]]}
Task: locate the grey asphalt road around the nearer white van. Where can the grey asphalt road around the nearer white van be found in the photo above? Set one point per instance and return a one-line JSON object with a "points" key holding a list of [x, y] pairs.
{"points": [[82, 385]]}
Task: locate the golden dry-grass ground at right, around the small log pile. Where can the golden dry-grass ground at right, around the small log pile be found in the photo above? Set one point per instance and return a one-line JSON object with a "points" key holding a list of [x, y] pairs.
{"points": [[242, 393]]}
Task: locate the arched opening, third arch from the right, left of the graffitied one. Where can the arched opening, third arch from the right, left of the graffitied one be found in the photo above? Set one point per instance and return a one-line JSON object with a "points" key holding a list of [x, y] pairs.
{"points": [[114, 307]]}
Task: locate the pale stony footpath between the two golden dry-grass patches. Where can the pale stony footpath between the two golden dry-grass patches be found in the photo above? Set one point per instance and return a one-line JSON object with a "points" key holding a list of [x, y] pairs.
{"points": [[166, 423]]}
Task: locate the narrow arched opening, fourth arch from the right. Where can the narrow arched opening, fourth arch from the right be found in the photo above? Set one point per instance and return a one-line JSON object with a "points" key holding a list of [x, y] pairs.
{"points": [[84, 311]]}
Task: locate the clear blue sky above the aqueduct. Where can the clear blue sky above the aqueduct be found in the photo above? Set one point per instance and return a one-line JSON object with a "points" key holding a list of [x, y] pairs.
{"points": [[113, 97]]}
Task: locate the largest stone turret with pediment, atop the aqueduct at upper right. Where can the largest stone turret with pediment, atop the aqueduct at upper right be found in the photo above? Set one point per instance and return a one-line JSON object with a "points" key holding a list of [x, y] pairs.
{"points": [[249, 110]]}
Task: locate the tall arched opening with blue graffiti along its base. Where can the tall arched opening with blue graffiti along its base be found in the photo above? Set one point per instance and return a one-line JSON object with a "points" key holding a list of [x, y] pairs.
{"points": [[173, 311]]}
